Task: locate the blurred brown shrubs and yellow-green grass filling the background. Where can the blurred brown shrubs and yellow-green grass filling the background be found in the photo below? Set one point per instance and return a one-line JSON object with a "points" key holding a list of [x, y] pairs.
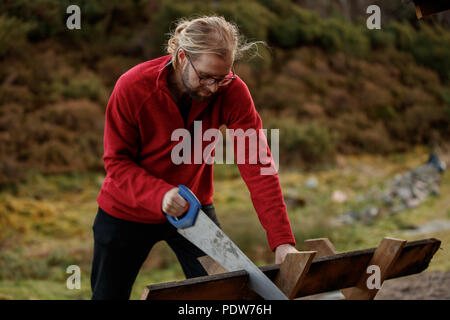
{"points": [[335, 89]]}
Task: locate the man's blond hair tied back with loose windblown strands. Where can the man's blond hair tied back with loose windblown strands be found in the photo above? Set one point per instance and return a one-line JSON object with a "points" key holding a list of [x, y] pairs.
{"points": [[208, 34]]}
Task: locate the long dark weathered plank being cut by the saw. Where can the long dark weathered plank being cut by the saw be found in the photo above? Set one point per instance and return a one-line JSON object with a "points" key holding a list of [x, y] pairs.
{"points": [[325, 274]]}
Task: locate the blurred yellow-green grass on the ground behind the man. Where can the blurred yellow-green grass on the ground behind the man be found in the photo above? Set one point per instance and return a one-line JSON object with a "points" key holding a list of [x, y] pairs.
{"points": [[45, 223]]}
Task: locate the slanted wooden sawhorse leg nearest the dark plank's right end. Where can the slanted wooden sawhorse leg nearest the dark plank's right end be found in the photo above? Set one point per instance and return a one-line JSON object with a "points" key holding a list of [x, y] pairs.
{"points": [[384, 257]]}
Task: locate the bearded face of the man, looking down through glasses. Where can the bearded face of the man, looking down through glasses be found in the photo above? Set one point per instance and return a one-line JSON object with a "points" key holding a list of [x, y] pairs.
{"points": [[207, 65]]}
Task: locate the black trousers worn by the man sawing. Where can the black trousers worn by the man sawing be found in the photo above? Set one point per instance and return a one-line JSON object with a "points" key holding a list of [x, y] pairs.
{"points": [[121, 247]]}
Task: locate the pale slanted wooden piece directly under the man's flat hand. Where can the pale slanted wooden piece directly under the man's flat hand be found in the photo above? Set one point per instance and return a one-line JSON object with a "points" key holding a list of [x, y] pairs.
{"points": [[292, 272]]}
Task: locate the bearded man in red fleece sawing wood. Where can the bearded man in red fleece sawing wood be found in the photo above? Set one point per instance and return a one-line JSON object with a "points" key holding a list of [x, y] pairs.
{"points": [[195, 81]]}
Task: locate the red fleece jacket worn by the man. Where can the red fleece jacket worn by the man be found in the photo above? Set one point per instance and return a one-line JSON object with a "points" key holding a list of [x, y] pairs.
{"points": [[140, 118]]}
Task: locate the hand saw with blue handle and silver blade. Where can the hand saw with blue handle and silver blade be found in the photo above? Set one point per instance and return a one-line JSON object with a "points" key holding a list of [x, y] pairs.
{"points": [[199, 229]]}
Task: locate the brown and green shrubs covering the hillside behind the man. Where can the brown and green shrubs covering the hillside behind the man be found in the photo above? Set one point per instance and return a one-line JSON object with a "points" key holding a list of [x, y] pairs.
{"points": [[318, 76]]}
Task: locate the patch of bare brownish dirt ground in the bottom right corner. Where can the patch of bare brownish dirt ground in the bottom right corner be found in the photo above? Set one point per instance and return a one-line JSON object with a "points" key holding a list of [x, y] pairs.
{"points": [[422, 286]]}
